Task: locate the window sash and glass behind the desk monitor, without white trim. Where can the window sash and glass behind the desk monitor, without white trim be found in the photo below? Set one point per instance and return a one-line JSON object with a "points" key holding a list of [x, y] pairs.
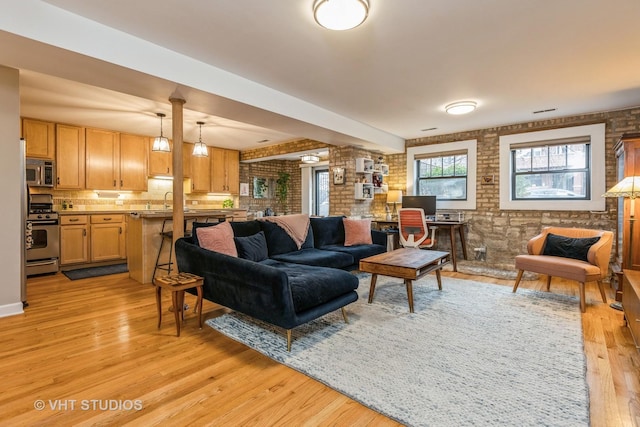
{"points": [[443, 176]]}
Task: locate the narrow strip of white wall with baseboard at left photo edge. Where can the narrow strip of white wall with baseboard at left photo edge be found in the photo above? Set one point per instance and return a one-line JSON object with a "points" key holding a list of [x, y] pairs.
{"points": [[12, 229]]}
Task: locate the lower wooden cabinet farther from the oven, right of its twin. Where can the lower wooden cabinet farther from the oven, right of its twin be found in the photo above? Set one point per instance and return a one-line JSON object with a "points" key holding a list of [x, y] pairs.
{"points": [[108, 238]]}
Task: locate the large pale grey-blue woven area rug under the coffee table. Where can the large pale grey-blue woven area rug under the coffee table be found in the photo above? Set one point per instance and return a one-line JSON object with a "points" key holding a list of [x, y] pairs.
{"points": [[472, 354]]}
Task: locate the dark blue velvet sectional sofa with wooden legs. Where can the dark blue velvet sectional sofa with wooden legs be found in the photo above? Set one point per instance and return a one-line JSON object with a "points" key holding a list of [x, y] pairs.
{"points": [[291, 286]]}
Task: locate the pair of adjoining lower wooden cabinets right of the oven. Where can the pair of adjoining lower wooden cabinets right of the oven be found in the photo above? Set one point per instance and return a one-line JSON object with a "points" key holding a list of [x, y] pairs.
{"points": [[93, 238]]}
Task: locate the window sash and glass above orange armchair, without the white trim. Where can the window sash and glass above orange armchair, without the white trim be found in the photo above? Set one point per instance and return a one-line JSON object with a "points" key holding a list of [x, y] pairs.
{"points": [[552, 170]]}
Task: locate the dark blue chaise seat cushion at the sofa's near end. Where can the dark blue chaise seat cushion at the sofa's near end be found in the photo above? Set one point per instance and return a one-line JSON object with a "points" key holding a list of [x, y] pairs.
{"points": [[314, 286]]}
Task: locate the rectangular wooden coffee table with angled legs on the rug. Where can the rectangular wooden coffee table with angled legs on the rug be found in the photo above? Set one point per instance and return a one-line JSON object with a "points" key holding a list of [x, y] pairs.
{"points": [[405, 263]]}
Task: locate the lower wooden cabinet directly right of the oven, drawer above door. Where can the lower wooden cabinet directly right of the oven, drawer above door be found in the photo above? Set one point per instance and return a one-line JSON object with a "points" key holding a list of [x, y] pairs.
{"points": [[74, 239]]}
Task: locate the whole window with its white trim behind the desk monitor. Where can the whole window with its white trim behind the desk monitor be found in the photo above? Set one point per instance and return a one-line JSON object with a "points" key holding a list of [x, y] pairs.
{"points": [[446, 170]]}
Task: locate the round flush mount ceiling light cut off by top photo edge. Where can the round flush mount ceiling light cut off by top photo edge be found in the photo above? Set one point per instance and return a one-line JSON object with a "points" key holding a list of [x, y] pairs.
{"points": [[340, 14]]}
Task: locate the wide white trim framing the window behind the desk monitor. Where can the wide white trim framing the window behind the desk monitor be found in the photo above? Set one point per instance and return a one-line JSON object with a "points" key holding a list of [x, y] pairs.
{"points": [[472, 157]]}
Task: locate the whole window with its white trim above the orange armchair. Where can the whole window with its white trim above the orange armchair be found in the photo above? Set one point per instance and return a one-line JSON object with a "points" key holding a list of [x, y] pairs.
{"points": [[559, 169]]}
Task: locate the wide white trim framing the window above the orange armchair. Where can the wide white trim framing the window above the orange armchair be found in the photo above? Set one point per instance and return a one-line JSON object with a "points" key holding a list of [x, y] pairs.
{"points": [[598, 173]]}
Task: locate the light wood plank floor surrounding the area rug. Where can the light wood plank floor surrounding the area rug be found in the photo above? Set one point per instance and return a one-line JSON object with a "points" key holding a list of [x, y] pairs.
{"points": [[94, 342]]}
